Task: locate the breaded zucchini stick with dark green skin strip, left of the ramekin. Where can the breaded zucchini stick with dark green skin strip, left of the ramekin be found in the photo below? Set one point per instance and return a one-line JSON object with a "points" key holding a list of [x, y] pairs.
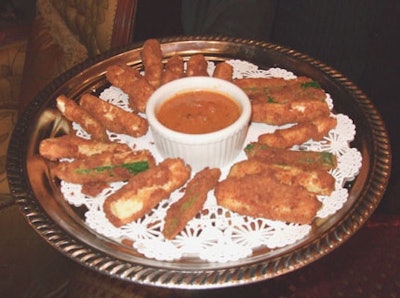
{"points": [[105, 167]]}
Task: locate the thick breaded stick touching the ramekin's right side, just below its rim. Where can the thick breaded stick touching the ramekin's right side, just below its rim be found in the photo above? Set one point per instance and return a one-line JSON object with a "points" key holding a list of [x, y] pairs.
{"points": [[292, 112]]}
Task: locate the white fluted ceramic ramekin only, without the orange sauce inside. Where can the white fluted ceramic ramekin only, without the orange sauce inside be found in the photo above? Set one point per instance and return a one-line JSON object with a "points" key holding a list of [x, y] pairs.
{"points": [[214, 149]]}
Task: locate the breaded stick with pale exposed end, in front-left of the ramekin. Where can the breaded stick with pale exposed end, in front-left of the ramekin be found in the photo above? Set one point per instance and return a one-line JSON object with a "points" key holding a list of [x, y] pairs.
{"points": [[144, 191]]}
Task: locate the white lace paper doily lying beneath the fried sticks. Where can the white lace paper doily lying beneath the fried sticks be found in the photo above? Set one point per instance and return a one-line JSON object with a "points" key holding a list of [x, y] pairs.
{"points": [[217, 234]]}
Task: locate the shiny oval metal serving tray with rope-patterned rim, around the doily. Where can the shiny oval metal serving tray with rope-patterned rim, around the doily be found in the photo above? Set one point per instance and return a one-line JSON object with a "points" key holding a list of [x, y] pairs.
{"points": [[63, 227]]}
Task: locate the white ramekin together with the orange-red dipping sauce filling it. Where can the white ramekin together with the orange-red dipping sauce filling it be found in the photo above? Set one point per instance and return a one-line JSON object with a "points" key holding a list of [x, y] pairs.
{"points": [[203, 120]]}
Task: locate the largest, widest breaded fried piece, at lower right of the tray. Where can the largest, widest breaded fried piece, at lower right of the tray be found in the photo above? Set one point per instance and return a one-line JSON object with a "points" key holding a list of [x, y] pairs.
{"points": [[261, 195]]}
